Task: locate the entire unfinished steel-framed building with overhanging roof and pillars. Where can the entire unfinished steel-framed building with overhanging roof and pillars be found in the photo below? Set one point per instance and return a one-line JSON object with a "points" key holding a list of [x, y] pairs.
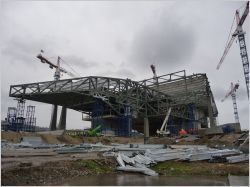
{"points": [[120, 105]]}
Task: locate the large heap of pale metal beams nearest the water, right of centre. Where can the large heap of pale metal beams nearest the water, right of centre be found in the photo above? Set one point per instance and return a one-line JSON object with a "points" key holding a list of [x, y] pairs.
{"points": [[138, 158]]}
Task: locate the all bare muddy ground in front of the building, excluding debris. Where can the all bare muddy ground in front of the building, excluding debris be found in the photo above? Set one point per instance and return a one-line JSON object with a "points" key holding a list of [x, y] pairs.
{"points": [[44, 167]]}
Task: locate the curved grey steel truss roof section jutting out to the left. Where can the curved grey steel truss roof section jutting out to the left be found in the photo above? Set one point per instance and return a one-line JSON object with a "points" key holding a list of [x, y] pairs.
{"points": [[80, 93]]}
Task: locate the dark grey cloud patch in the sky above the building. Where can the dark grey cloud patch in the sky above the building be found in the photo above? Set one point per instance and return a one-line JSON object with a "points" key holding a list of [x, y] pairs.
{"points": [[165, 42]]}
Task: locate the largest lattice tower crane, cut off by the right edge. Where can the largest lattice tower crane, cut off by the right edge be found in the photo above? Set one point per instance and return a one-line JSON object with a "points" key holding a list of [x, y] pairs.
{"points": [[243, 50]]}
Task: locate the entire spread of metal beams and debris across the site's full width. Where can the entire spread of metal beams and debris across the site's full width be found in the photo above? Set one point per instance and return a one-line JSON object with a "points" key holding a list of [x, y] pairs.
{"points": [[130, 157]]}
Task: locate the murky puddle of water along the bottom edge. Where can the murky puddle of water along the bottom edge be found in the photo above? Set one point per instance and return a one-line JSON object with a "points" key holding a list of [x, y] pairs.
{"points": [[127, 179]]}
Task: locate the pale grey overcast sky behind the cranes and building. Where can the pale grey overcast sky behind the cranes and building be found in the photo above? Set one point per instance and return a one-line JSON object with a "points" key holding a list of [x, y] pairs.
{"points": [[121, 39]]}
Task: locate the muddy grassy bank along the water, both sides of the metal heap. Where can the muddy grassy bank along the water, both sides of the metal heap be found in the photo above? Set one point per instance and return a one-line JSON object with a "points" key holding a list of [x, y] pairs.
{"points": [[52, 173]]}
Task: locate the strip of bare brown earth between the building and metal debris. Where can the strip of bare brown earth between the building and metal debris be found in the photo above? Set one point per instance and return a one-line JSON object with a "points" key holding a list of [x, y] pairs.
{"points": [[50, 138]]}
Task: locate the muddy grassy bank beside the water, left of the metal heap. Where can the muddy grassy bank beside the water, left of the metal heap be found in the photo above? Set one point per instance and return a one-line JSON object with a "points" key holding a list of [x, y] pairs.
{"points": [[51, 173]]}
